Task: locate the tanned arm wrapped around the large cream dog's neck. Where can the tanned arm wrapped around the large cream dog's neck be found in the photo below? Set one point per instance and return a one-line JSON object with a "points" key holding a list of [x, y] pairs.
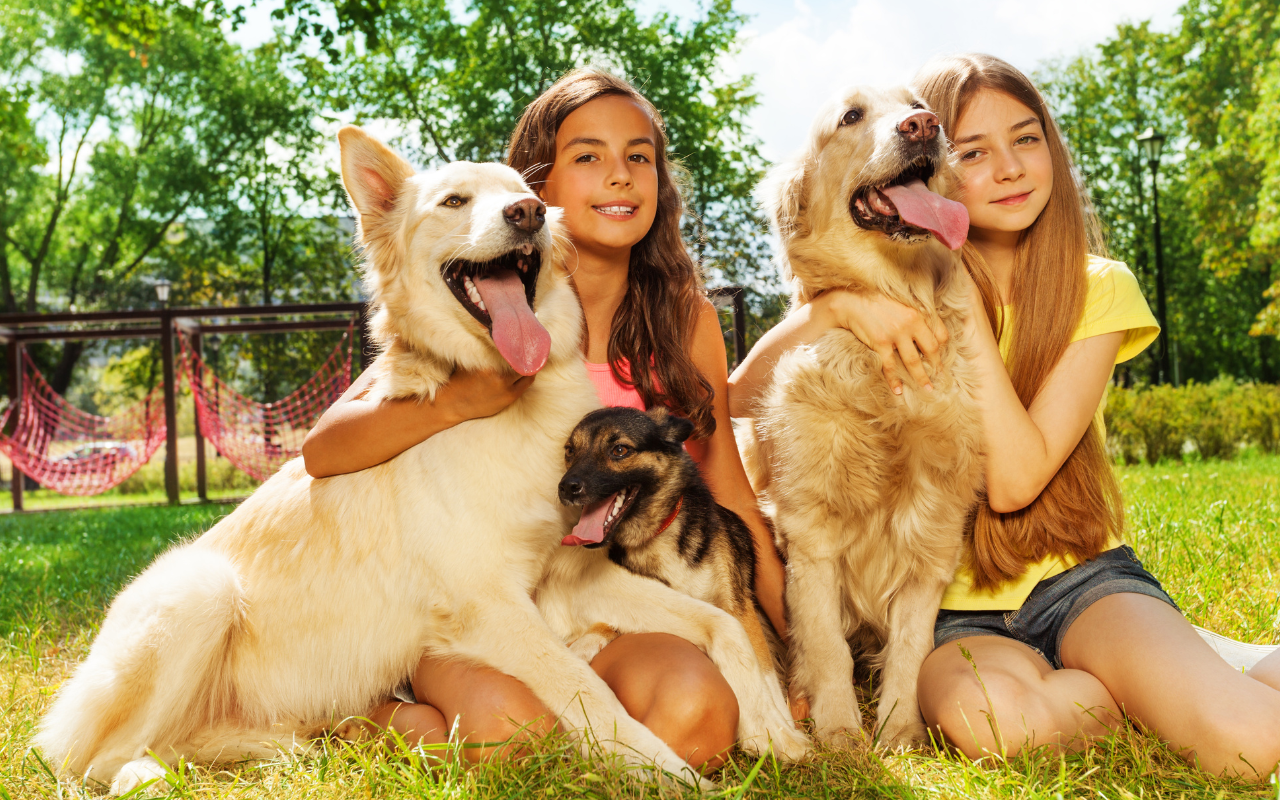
{"points": [[356, 432]]}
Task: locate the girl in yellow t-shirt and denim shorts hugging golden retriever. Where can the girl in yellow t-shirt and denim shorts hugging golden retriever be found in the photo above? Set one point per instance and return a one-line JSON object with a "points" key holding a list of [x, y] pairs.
{"points": [[1052, 630]]}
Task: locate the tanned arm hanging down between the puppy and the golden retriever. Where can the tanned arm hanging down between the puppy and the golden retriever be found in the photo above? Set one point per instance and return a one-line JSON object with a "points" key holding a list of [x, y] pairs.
{"points": [[723, 467]]}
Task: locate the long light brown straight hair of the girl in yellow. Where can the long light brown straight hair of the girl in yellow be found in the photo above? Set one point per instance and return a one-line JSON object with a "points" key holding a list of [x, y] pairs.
{"points": [[1081, 508]]}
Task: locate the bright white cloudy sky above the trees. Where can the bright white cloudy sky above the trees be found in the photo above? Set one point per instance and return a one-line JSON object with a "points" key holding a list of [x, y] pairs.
{"points": [[802, 53]]}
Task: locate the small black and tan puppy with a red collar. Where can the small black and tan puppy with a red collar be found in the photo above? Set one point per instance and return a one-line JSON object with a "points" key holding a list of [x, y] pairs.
{"points": [[643, 497]]}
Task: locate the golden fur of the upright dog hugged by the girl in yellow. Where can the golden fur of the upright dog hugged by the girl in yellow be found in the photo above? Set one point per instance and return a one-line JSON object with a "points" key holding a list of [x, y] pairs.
{"points": [[868, 491]]}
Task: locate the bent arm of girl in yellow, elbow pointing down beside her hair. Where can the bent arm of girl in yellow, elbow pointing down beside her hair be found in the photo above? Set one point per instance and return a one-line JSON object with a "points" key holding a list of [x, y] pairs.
{"points": [[1026, 447]]}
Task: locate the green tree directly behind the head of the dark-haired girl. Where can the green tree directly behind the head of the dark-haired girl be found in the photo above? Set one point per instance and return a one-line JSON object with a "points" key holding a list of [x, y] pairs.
{"points": [[459, 81]]}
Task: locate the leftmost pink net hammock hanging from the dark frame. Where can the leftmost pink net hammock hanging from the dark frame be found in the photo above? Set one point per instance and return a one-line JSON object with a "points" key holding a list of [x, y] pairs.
{"points": [[71, 451]]}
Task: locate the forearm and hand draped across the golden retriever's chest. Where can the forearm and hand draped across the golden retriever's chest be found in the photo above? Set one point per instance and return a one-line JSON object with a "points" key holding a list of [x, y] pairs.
{"points": [[881, 324]]}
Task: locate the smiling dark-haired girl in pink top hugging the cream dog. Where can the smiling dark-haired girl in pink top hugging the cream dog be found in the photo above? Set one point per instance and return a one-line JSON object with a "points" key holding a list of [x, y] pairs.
{"points": [[596, 148]]}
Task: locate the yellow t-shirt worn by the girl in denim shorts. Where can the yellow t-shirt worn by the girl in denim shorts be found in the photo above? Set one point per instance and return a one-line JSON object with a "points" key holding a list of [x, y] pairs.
{"points": [[1116, 303]]}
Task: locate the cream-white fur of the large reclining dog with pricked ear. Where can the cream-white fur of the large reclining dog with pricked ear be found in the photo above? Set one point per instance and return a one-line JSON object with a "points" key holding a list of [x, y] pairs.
{"points": [[316, 598]]}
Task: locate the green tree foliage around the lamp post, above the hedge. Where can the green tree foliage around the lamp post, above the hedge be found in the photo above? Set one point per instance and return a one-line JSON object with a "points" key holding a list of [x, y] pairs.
{"points": [[1213, 88]]}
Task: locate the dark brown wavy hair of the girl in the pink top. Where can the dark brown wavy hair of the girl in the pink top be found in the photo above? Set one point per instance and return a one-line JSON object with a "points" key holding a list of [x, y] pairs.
{"points": [[653, 328]]}
